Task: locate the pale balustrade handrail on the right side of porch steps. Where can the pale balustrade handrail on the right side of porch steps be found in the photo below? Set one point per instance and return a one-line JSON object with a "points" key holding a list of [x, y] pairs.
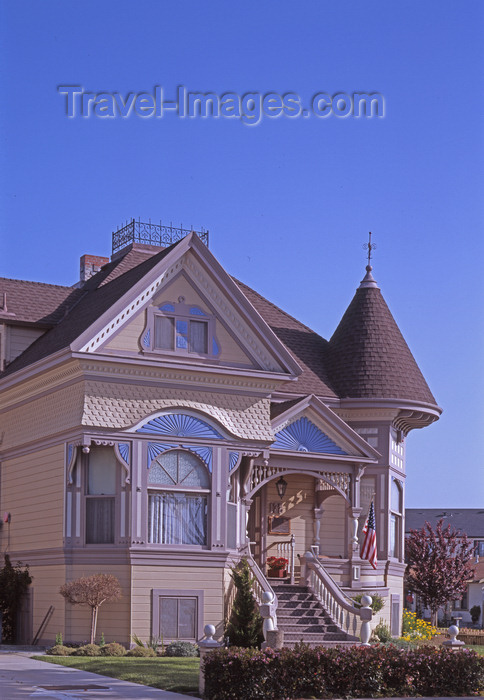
{"points": [[346, 615]]}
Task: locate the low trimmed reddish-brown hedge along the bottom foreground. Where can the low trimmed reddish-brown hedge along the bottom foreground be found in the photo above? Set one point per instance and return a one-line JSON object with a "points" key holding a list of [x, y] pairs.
{"points": [[357, 671]]}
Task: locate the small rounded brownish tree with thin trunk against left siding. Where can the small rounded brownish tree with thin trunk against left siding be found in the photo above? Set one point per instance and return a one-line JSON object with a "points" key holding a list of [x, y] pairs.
{"points": [[92, 591]]}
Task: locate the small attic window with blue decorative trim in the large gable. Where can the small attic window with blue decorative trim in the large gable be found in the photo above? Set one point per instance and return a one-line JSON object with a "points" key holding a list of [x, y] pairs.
{"points": [[180, 328]]}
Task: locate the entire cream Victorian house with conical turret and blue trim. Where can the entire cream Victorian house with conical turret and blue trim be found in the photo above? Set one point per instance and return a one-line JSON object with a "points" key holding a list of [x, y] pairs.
{"points": [[148, 413]]}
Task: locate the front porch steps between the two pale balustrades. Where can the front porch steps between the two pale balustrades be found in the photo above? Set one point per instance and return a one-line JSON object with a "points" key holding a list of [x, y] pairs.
{"points": [[303, 619]]}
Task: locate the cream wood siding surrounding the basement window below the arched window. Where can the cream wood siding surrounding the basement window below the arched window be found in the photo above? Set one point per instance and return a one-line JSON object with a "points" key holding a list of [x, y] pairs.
{"points": [[146, 578]]}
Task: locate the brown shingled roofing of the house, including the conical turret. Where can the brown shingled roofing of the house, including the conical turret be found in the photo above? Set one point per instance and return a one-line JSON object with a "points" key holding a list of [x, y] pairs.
{"points": [[367, 356]]}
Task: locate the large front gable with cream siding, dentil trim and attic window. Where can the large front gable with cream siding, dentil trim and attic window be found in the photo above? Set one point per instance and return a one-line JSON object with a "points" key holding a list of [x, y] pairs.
{"points": [[199, 301]]}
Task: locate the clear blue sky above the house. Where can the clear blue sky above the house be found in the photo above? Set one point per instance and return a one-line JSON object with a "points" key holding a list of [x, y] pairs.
{"points": [[288, 202]]}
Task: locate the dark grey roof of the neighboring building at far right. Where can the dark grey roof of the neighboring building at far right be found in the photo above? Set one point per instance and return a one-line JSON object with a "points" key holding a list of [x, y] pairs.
{"points": [[468, 520]]}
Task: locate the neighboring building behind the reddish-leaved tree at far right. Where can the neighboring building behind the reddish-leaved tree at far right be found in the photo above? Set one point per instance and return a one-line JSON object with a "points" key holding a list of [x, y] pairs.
{"points": [[469, 521]]}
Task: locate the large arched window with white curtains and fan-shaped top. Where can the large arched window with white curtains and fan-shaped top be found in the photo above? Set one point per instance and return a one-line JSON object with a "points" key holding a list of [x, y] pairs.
{"points": [[178, 489]]}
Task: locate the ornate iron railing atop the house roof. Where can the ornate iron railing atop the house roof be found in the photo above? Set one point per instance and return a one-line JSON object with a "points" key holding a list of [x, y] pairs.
{"points": [[152, 234]]}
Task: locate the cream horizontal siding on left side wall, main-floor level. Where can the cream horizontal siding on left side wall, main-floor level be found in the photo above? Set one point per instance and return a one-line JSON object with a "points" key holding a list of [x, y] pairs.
{"points": [[32, 490]]}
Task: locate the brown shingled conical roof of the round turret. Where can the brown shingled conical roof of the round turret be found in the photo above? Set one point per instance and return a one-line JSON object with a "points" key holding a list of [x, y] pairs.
{"points": [[367, 354]]}
